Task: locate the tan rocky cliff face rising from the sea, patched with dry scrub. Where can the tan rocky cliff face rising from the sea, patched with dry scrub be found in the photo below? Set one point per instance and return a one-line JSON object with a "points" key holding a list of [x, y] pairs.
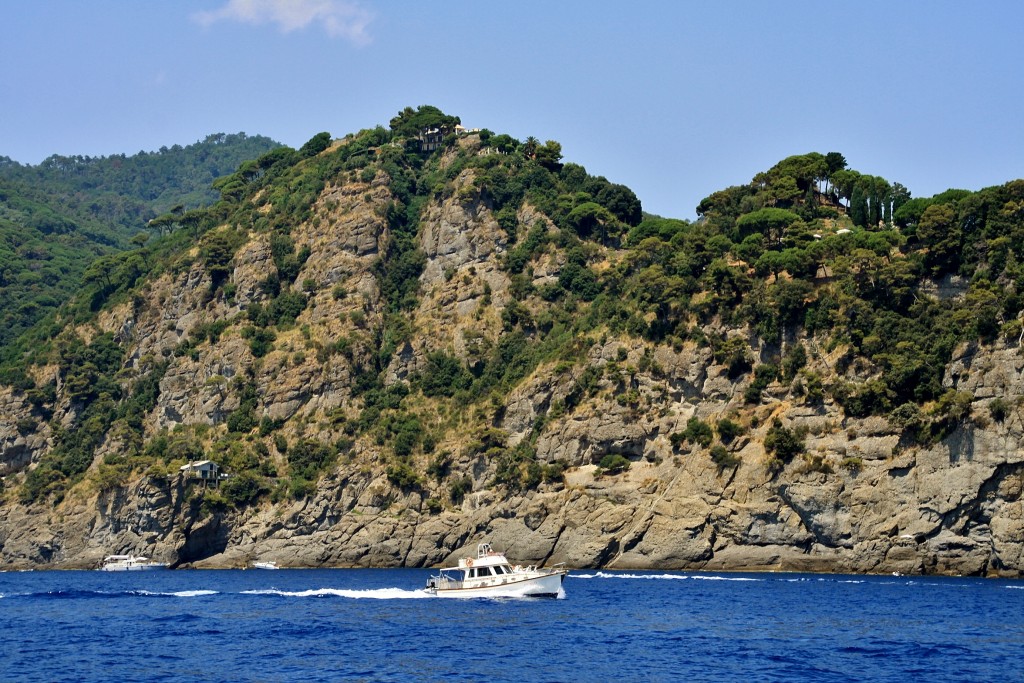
{"points": [[860, 495]]}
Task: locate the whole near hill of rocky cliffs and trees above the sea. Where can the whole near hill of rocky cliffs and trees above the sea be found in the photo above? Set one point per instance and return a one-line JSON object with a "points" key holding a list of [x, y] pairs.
{"points": [[397, 345]]}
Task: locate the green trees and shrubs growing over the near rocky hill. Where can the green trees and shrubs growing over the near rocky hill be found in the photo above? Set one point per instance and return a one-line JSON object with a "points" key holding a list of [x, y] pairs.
{"points": [[808, 259]]}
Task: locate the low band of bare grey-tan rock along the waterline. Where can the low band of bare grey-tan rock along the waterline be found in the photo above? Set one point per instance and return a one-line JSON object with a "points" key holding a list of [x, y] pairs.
{"points": [[911, 514]]}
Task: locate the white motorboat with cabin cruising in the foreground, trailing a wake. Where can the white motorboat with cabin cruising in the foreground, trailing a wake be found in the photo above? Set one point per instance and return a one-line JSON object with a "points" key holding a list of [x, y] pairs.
{"points": [[490, 576]]}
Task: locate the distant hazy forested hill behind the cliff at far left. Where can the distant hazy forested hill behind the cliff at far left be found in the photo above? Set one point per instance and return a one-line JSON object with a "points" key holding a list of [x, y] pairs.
{"points": [[59, 217]]}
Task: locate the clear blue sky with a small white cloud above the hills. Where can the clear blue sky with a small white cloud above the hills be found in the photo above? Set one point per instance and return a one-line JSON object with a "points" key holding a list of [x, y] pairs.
{"points": [[675, 100]]}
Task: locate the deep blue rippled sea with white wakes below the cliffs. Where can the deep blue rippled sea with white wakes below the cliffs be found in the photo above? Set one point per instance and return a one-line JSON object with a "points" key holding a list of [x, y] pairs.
{"points": [[377, 625]]}
